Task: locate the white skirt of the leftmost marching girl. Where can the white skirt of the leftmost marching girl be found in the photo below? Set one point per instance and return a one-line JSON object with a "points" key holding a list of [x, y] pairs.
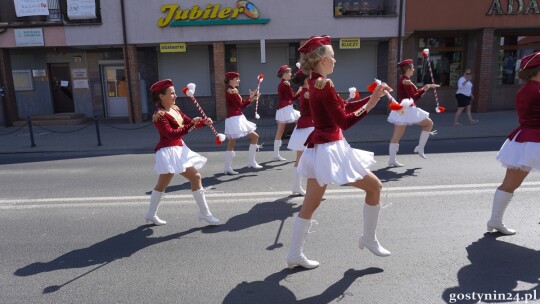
{"points": [[177, 159]]}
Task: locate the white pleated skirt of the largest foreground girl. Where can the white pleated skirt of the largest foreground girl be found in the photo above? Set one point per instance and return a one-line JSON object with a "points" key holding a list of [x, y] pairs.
{"points": [[335, 163]]}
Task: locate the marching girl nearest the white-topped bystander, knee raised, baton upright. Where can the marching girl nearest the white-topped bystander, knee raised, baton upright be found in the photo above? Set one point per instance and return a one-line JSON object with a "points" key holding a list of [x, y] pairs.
{"points": [[410, 114]]}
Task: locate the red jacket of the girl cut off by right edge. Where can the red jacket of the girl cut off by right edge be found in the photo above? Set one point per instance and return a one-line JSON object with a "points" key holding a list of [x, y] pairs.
{"points": [[528, 110]]}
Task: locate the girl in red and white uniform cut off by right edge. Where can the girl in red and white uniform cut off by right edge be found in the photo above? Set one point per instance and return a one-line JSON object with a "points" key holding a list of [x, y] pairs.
{"points": [[520, 153]]}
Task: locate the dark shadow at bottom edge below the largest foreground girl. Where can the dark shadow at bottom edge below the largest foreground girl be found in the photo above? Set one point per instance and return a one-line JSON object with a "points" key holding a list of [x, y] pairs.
{"points": [[270, 291]]}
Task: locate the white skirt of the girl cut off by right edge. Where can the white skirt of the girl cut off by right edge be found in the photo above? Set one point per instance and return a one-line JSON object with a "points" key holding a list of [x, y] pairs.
{"points": [[520, 155]]}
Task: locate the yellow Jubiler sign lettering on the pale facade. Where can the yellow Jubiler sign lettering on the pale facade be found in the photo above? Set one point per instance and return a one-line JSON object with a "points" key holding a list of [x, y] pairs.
{"points": [[211, 14]]}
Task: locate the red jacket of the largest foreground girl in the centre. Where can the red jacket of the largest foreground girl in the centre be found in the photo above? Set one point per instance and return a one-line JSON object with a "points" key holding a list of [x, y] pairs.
{"points": [[330, 113]]}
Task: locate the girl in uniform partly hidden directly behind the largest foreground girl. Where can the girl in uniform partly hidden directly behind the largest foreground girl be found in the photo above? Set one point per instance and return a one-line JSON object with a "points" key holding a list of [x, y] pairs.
{"points": [[303, 128]]}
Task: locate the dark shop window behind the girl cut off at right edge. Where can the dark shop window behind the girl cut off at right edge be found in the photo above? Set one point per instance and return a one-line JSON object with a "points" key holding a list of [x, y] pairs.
{"points": [[511, 49]]}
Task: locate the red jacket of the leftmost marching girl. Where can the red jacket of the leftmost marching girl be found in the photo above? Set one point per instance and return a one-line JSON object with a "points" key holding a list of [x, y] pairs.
{"points": [[170, 130]]}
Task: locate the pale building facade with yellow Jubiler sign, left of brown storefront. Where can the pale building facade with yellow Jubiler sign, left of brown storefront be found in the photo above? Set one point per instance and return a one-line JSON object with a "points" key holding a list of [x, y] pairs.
{"points": [[103, 63]]}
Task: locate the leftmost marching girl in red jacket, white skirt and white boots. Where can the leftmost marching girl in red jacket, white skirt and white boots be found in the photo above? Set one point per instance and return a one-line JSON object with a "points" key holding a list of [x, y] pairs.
{"points": [[172, 154]]}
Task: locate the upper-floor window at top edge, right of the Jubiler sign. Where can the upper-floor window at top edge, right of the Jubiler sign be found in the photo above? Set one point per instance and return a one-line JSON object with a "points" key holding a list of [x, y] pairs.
{"points": [[347, 8]]}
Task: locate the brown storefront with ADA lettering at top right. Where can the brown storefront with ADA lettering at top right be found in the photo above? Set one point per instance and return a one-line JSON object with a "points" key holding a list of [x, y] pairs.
{"points": [[487, 36]]}
